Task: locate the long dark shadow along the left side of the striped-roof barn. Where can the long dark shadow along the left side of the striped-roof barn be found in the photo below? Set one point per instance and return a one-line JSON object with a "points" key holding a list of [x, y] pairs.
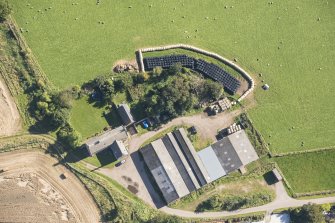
{"points": [[142, 171]]}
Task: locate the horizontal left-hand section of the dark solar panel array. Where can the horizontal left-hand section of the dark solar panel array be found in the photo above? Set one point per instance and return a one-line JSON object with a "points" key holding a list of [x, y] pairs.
{"points": [[167, 61]]}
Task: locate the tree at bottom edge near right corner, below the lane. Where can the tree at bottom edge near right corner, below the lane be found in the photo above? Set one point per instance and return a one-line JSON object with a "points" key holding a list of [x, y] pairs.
{"points": [[309, 213]]}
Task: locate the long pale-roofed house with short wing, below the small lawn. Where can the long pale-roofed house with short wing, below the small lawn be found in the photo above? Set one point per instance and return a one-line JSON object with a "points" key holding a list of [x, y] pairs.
{"points": [[112, 139]]}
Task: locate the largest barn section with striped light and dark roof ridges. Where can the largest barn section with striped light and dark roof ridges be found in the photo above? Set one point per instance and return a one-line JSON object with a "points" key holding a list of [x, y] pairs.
{"points": [[174, 165]]}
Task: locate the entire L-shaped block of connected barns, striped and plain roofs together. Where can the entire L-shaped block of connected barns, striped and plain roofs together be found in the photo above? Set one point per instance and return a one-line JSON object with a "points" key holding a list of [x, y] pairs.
{"points": [[178, 169]]}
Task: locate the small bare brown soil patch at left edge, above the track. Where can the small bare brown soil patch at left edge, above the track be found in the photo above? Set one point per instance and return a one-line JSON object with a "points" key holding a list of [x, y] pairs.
{"points": [[10, 121]]}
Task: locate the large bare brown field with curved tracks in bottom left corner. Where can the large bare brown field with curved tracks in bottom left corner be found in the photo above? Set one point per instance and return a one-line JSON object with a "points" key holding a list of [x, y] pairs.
{"points": [[32, 190]]}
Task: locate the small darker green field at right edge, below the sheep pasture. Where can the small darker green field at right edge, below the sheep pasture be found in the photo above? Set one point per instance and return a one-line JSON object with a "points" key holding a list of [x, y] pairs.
{"points": [[309, 172]]}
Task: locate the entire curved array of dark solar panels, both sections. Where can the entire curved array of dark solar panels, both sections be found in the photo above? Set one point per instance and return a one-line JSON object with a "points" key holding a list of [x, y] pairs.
{"points": [[211, 70]]}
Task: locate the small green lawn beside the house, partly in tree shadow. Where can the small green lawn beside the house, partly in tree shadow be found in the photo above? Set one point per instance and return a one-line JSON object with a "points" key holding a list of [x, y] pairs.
{"points": [[89, 119]]}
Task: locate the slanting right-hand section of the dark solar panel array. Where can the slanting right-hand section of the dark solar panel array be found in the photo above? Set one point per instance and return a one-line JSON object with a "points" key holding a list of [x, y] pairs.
{"points": [[218, 74]]}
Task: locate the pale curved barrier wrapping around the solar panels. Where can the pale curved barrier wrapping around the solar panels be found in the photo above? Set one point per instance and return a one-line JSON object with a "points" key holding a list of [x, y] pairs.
{"points": [[204, 52]]}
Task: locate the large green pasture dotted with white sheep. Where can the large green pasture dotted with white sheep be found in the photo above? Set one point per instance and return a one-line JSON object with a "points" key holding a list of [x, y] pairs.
{"points": [[287, 41]]}
